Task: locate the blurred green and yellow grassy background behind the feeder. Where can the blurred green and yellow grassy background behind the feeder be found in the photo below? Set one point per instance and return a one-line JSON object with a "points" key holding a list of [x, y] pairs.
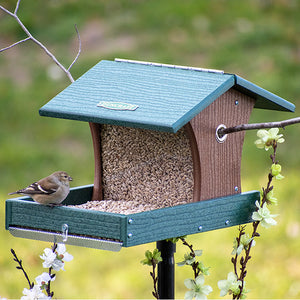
{"points": [[259, 40]]}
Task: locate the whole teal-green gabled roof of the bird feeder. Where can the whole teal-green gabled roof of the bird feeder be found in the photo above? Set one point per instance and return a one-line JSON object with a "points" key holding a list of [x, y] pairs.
{"points": [[152, 96]]}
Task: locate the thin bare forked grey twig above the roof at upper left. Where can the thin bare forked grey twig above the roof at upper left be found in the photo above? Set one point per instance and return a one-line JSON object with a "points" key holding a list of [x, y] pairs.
{"points": [[30, 37]]}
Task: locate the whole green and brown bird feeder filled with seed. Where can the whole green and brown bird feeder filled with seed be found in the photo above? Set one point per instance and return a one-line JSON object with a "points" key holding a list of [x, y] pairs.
{"points": [[161, 169]]}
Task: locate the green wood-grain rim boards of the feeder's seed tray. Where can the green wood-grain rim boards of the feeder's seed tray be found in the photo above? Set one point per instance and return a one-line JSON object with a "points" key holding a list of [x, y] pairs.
{"points": [[132, 229]]}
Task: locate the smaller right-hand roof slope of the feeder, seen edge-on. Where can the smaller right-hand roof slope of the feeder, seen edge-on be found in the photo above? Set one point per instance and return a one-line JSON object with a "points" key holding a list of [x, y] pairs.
{"points": [[274, 102]]}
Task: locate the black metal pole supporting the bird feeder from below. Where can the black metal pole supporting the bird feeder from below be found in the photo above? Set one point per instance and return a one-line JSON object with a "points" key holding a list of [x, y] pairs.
{"points": [[166, 270]]}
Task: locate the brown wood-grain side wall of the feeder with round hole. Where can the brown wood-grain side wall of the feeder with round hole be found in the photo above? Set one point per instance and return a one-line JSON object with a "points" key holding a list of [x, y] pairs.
{"points": [[220, 163]]}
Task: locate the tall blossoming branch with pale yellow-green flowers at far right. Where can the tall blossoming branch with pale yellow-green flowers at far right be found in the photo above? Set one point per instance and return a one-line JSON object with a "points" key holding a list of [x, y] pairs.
{"points": [[235, 283]]}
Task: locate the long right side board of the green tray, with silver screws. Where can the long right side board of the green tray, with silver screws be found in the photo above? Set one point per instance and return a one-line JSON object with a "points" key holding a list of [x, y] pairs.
{"points": [[191, 218]]}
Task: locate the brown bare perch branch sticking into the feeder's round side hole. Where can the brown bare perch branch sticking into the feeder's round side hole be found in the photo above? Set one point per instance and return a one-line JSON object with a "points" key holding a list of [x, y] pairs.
{"points": [[280, 124]]}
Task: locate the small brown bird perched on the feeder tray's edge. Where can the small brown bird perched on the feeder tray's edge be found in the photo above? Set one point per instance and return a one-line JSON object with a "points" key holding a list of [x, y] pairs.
{"points": [[51, 190]]}
